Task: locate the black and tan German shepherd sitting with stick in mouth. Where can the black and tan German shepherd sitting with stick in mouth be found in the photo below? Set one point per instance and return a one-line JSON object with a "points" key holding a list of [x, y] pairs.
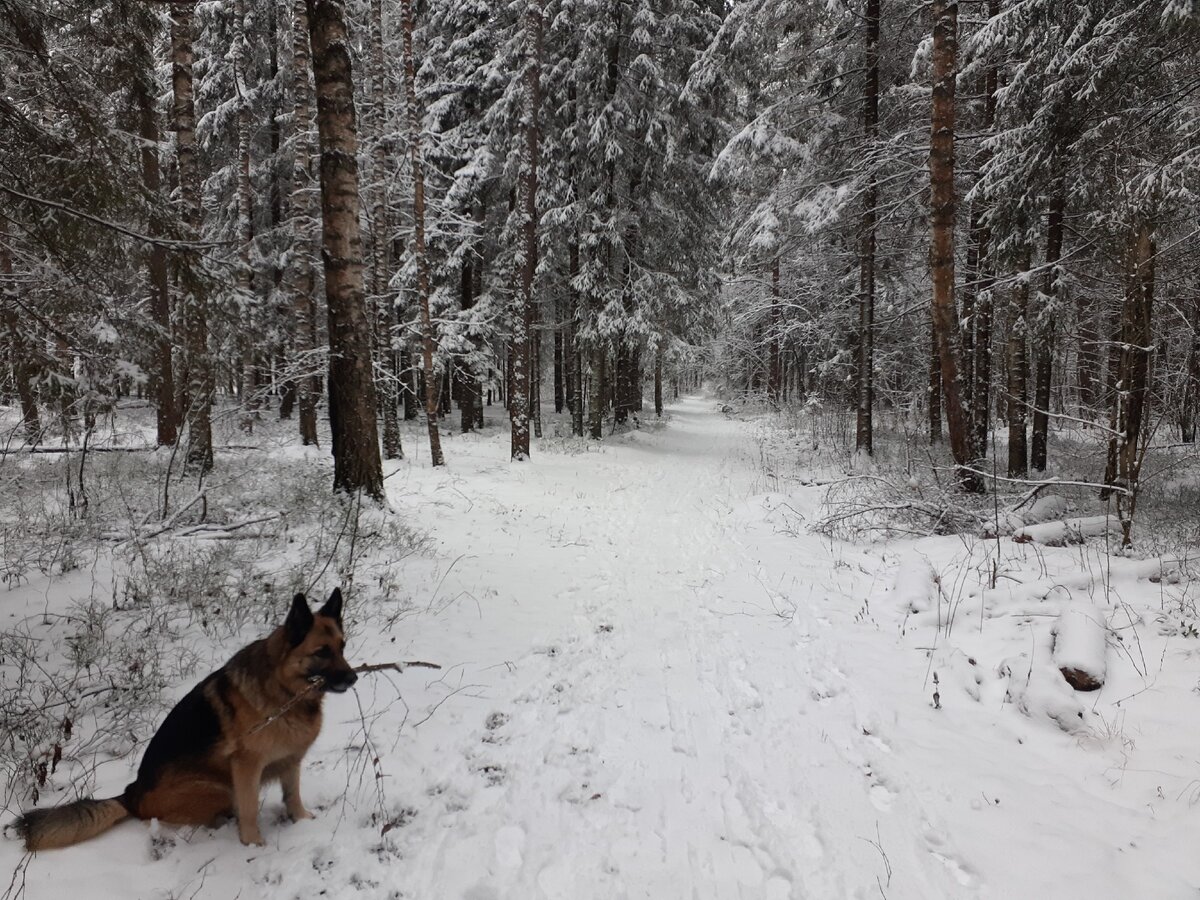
{"points": [[250, 722]]}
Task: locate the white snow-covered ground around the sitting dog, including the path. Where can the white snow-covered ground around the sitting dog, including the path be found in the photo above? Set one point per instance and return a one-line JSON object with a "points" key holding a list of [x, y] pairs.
{"points": [[659, 683]]}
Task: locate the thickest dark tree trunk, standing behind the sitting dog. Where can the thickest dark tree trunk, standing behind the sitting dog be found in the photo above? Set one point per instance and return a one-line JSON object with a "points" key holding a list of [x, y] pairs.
{"points": [[352, 403]]}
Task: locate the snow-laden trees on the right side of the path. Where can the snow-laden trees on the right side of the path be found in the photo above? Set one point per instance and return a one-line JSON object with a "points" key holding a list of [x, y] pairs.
{"points": [[1039, 163]]}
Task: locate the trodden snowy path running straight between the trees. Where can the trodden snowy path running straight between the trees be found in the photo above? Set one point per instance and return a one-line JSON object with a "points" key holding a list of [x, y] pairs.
{"points": [[682, 725]]}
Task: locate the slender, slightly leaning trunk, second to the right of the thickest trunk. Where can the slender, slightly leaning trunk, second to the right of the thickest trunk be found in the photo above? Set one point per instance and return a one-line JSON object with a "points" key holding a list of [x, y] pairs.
{"points": [[423, 263]]}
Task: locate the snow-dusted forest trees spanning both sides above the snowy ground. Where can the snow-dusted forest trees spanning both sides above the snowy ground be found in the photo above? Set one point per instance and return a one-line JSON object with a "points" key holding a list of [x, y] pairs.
{"points": [[591, 197]]}
